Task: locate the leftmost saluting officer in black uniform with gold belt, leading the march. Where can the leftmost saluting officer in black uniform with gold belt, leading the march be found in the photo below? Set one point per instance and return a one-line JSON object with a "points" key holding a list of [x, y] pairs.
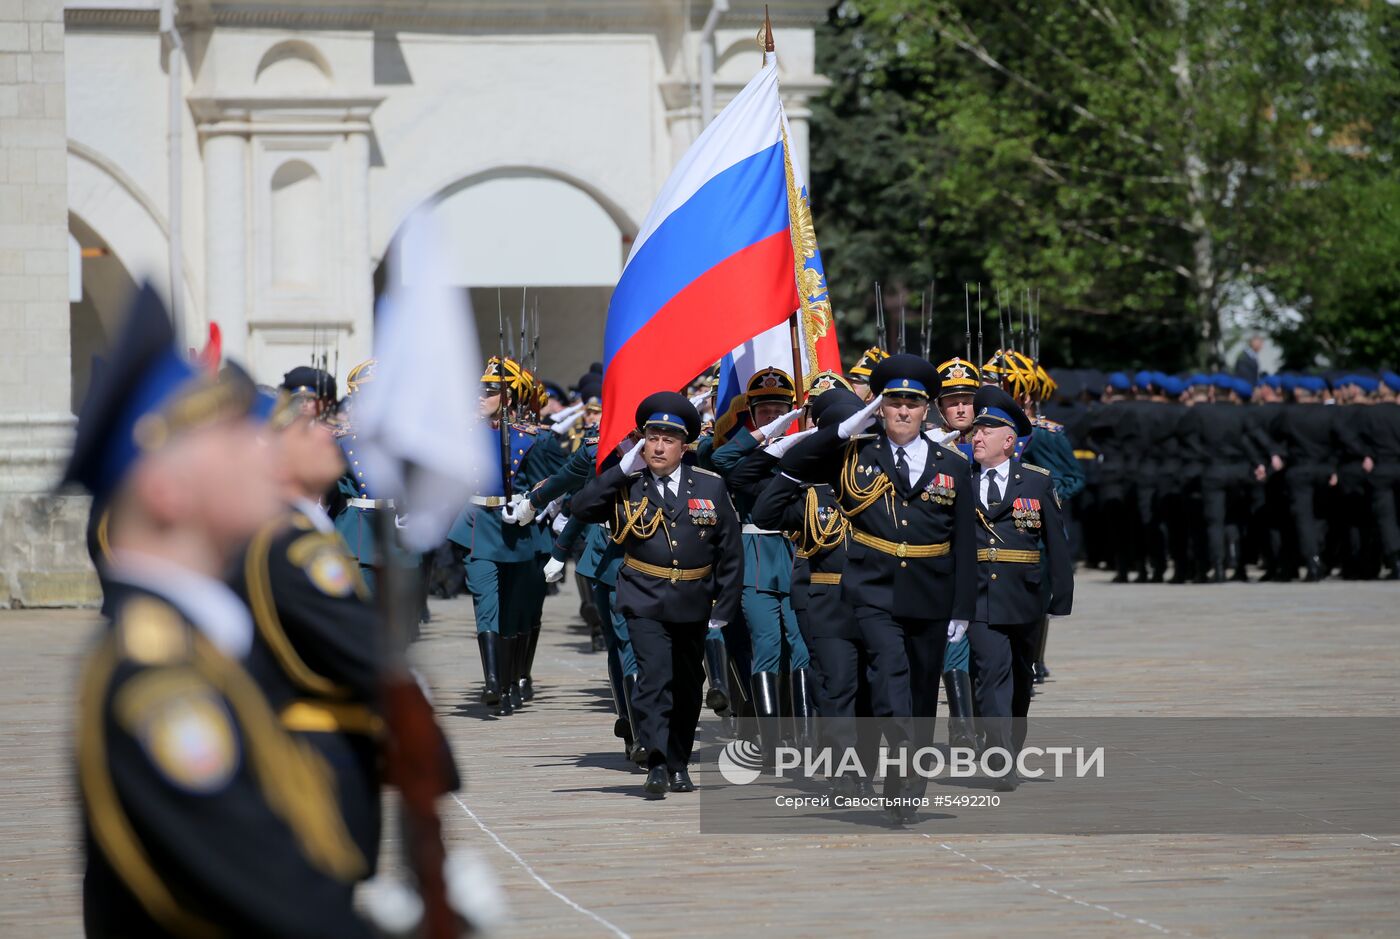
{"points": [[682, 574]]}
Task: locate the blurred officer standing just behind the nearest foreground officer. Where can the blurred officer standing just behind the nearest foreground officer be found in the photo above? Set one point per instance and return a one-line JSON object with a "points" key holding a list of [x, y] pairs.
{"points": [[318, 644]]}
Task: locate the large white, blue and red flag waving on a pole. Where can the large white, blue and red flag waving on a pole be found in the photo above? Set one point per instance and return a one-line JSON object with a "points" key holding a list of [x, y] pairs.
{"points": [[713, 265]]}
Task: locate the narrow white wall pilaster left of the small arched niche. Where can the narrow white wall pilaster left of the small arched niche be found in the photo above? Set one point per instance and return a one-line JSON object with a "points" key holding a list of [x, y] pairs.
{"points": [[226, 239]]}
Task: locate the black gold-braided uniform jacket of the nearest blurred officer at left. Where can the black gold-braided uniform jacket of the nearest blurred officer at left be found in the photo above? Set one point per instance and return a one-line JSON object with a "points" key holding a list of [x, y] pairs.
{"points": [[202, 815]]}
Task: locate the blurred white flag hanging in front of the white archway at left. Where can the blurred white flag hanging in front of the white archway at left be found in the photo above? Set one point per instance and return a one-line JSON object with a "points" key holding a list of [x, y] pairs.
{"points": [[418, 421]]}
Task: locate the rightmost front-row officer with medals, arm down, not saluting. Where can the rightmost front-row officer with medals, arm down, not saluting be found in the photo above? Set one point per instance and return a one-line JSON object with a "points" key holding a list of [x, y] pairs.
{"points": [[1018, 517]]}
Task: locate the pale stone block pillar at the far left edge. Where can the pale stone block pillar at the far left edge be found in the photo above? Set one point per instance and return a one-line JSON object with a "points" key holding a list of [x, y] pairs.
{"points": [[43, 553]]}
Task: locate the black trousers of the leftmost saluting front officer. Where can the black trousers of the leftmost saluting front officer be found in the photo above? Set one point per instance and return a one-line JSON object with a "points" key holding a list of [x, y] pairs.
{"points": [[670, 692]]}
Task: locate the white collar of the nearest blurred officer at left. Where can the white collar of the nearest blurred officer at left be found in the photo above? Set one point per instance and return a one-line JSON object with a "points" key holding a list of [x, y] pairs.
{"points": [[215, 609]]}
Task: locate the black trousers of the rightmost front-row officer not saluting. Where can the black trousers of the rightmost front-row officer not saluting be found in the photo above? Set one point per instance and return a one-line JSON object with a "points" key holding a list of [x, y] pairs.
{"points": [[1003, 672]]}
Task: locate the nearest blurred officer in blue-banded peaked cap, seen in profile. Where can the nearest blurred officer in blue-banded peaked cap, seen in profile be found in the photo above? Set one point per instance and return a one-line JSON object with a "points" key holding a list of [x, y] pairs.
{"points": [[202, 817]]}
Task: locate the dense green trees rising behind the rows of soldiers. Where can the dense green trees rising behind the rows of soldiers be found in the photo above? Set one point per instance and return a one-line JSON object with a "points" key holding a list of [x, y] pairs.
{"points": [[1143, 164]]}
